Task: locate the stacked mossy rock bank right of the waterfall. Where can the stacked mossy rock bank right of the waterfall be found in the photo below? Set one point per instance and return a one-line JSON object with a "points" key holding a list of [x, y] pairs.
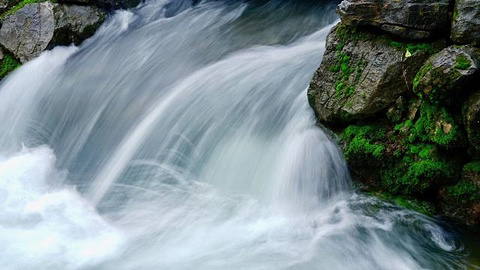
{"points": [[399, 85]]}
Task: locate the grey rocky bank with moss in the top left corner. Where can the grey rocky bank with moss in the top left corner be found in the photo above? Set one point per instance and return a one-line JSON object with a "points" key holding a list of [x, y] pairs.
{"points": [[29, 27]]}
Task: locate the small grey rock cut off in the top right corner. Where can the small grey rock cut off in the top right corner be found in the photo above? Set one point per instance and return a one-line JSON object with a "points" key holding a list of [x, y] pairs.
{"points": [[466, 22]]}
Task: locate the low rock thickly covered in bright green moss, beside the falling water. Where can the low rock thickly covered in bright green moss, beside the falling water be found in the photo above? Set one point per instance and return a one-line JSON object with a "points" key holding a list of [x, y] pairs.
{"points": [[389, 159]]}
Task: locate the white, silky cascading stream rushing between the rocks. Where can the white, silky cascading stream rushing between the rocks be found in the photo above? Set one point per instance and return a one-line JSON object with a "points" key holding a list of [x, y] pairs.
{"points": [[179, 137]]}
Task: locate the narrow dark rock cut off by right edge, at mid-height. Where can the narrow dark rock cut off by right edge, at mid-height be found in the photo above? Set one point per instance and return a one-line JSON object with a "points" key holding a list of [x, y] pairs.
{"points": [[471, 119]]}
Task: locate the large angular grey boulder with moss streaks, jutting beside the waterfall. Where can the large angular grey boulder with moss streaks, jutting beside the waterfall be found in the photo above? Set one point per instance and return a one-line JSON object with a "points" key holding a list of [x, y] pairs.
{"points": [[360, 75]]}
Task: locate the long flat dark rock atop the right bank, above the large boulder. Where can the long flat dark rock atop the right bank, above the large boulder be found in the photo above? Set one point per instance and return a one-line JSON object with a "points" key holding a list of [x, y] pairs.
{"points": [[413, 19]]}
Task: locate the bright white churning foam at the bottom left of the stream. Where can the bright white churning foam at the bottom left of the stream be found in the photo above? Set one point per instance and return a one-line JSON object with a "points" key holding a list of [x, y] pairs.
{"points": [[43, 224]]}
